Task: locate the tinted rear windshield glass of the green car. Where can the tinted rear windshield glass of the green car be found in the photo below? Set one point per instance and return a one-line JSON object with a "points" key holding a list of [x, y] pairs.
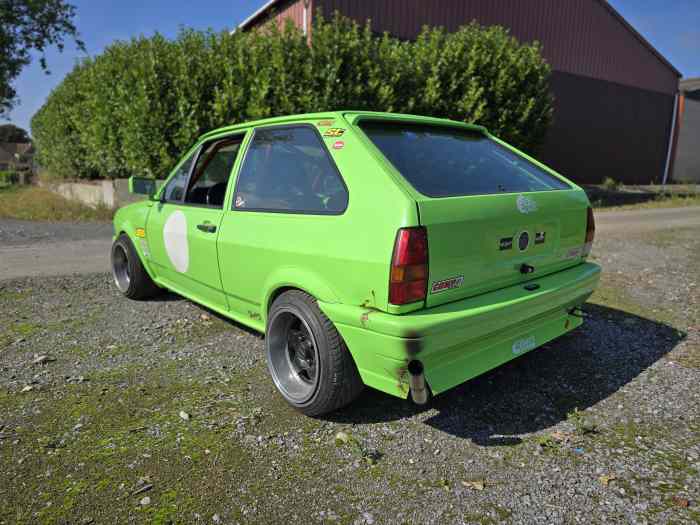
{"points": [[449, 162]]}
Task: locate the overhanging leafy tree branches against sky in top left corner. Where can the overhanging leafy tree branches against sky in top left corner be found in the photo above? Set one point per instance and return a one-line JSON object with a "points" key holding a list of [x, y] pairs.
{"points": [[27, 25]]}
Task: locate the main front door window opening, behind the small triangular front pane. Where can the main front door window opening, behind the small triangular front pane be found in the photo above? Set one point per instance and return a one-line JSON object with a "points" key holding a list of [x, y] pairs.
{"points": [[211, 173]]}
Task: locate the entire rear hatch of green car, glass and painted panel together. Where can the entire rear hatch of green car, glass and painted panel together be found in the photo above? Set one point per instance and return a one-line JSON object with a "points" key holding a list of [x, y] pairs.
{"points": [[493, 217]]}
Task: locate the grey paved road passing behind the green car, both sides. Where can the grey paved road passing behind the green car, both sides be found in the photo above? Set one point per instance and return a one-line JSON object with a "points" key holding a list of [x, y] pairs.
{"points": [[30, 249]]}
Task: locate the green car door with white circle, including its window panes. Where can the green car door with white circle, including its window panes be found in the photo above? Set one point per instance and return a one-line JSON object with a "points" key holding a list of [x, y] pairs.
{"points": [[183, 227]]}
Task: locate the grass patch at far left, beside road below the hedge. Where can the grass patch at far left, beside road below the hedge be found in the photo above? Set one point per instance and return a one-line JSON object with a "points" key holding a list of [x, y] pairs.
{"points": [[39, 204]]}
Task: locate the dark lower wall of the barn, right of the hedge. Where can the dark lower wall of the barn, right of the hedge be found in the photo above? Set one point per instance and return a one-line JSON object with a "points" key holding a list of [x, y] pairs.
{"points": [[603, 129]]}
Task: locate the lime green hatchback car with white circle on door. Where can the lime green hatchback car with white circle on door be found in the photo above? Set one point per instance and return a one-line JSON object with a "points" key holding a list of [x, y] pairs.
{"points": [[405, 253]]}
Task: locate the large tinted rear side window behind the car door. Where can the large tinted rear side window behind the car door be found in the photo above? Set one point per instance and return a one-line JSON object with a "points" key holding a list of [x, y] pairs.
{"points": [[289, 170]]}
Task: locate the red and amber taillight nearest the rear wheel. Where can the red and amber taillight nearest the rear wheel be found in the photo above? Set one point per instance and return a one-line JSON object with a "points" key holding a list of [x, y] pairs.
{"points": [[409, 266]]}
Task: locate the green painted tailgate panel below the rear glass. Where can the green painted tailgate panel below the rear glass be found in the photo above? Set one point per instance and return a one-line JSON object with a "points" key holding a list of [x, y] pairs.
{"points": [[480, 244]]}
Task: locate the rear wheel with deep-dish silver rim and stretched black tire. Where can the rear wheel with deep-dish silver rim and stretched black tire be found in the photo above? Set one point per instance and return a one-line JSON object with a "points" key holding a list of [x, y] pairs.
{"points": [[298, 332]]}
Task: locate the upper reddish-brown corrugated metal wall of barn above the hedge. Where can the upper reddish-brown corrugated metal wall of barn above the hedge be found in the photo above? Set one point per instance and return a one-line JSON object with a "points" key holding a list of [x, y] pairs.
{"points": [[584, 37]]}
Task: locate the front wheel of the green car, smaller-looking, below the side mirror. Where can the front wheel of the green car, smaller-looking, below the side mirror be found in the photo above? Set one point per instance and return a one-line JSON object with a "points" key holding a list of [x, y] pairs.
{"points": [[128, 272]]}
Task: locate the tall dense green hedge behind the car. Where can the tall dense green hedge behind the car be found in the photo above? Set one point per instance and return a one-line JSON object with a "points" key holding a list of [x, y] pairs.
{"points": [[138, 106]]}
